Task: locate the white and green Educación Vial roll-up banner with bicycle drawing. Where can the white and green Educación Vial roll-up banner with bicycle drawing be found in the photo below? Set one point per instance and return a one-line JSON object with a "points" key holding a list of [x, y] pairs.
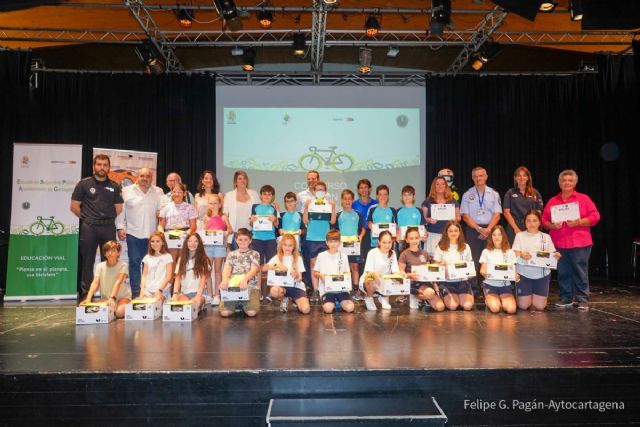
{"points": [[43, 245]]}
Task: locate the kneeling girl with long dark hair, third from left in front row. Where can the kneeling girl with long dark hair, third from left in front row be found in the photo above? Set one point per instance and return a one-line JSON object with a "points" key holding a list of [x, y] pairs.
{"points": [[192, 271]]}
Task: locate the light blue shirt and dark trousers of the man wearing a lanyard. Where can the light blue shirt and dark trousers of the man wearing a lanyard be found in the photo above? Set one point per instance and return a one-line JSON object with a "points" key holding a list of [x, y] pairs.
{"points": [[480, 207]]}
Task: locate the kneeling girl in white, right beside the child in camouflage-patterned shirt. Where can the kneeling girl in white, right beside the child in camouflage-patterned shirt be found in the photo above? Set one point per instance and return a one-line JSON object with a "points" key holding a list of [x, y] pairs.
{"points": [[288, 260]]}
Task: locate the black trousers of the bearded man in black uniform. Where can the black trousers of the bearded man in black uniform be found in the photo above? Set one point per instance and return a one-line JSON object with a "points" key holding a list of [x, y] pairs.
{"points": [[92, 237]]}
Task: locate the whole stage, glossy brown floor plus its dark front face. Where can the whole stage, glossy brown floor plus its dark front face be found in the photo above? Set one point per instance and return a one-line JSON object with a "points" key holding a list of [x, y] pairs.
{"points": [[224, 371]]}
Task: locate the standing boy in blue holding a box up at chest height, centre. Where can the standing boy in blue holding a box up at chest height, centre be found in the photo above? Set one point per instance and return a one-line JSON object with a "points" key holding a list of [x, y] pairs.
{"points": [[317, 231]]}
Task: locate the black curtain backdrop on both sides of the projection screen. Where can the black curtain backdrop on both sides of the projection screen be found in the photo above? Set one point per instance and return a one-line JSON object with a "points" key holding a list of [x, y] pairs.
{"points": [[548, 123]]}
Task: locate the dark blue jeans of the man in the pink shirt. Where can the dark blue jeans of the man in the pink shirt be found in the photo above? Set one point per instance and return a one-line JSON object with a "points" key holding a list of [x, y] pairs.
{"points": [[573, 274]]}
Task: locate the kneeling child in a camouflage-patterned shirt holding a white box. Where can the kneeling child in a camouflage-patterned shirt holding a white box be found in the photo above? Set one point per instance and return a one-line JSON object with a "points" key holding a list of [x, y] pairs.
{"points": [[242, 268]]}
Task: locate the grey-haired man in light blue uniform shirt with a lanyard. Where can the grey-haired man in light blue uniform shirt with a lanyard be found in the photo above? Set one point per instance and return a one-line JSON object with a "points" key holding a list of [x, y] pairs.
{"points": [[480, 209]]}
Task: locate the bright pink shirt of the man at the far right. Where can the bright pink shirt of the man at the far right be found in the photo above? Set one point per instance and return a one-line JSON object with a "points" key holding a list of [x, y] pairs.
{"points": [[572, 237]]}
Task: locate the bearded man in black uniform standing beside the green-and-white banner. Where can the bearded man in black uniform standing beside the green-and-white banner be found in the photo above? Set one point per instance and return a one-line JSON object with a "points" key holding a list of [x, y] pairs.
{"points": [[97, 201]]}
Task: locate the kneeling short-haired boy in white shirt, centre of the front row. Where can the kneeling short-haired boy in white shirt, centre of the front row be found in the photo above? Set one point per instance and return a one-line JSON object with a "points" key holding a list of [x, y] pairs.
{"points": [[331, 269]]}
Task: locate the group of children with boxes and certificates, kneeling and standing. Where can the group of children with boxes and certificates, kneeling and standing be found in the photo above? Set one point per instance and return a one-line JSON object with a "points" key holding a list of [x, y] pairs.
{"points": [[275, 245]]}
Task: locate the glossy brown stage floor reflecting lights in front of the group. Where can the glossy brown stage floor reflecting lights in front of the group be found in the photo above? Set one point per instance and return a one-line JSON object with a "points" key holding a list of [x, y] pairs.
{"points": [[42, 337]]}
